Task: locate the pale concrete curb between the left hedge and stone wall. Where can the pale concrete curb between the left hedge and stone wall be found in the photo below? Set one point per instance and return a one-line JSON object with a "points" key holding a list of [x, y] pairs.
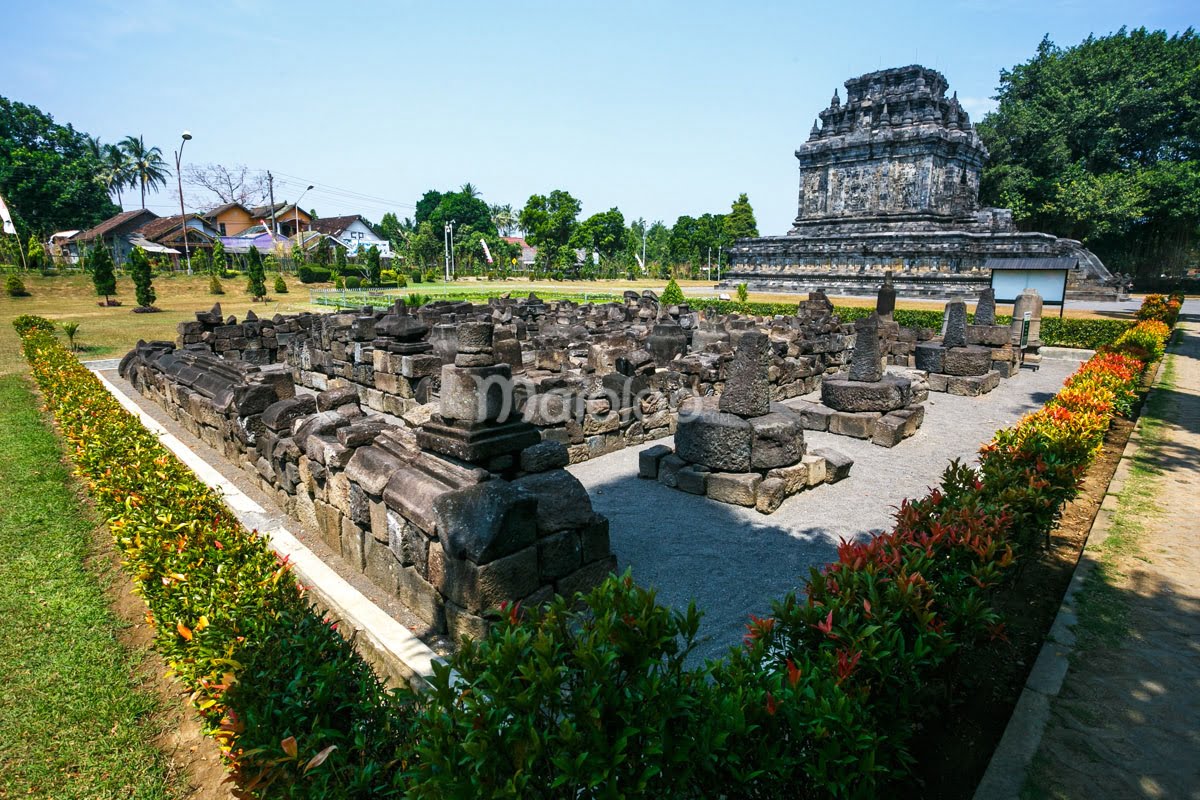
{"points": [[380, 639]]}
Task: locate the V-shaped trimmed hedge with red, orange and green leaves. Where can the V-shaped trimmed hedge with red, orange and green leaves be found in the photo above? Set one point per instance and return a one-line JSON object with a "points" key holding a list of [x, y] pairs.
{"points": [[589, 697]]}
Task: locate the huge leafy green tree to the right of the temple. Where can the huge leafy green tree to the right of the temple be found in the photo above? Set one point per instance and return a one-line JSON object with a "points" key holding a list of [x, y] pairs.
{"points": [[1101, 142]]}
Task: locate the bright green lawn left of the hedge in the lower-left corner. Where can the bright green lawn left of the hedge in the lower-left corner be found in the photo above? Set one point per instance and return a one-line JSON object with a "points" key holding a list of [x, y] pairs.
{"points": [[76, 724]]}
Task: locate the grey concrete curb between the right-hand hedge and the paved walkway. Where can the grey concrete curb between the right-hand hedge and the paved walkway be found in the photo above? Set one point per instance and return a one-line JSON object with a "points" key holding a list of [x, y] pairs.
{"points": [[1015, 755]]}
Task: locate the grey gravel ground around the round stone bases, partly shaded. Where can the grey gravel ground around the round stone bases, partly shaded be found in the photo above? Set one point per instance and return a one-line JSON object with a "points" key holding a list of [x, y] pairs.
{"points": [[733, 562]]}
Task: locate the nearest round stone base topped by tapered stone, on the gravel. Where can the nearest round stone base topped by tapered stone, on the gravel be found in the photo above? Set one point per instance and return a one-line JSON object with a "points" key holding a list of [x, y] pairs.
{"points": [[742, 448]]}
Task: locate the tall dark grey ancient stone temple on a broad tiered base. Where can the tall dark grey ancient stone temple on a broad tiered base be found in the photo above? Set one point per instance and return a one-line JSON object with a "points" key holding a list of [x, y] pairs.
{"points": [[890, 181]]}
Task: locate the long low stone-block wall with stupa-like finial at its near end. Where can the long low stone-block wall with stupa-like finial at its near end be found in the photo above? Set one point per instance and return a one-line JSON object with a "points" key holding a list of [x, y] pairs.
{"points": [[453, 519]]}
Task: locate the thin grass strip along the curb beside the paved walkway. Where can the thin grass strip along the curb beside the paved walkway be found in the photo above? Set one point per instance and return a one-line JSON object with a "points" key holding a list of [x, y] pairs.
{"points": [[1102, 604]]}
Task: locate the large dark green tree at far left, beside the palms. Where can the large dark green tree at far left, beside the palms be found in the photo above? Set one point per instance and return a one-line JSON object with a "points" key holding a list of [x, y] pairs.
{"points": [[50, 177]]}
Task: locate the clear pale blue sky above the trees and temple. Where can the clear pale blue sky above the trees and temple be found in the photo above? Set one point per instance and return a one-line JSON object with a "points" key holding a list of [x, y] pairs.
{"points": [[658, 109]]}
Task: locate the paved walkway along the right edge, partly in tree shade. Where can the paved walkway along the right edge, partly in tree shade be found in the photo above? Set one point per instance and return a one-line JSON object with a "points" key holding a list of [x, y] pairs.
{"points": [[1127, 720]]}
